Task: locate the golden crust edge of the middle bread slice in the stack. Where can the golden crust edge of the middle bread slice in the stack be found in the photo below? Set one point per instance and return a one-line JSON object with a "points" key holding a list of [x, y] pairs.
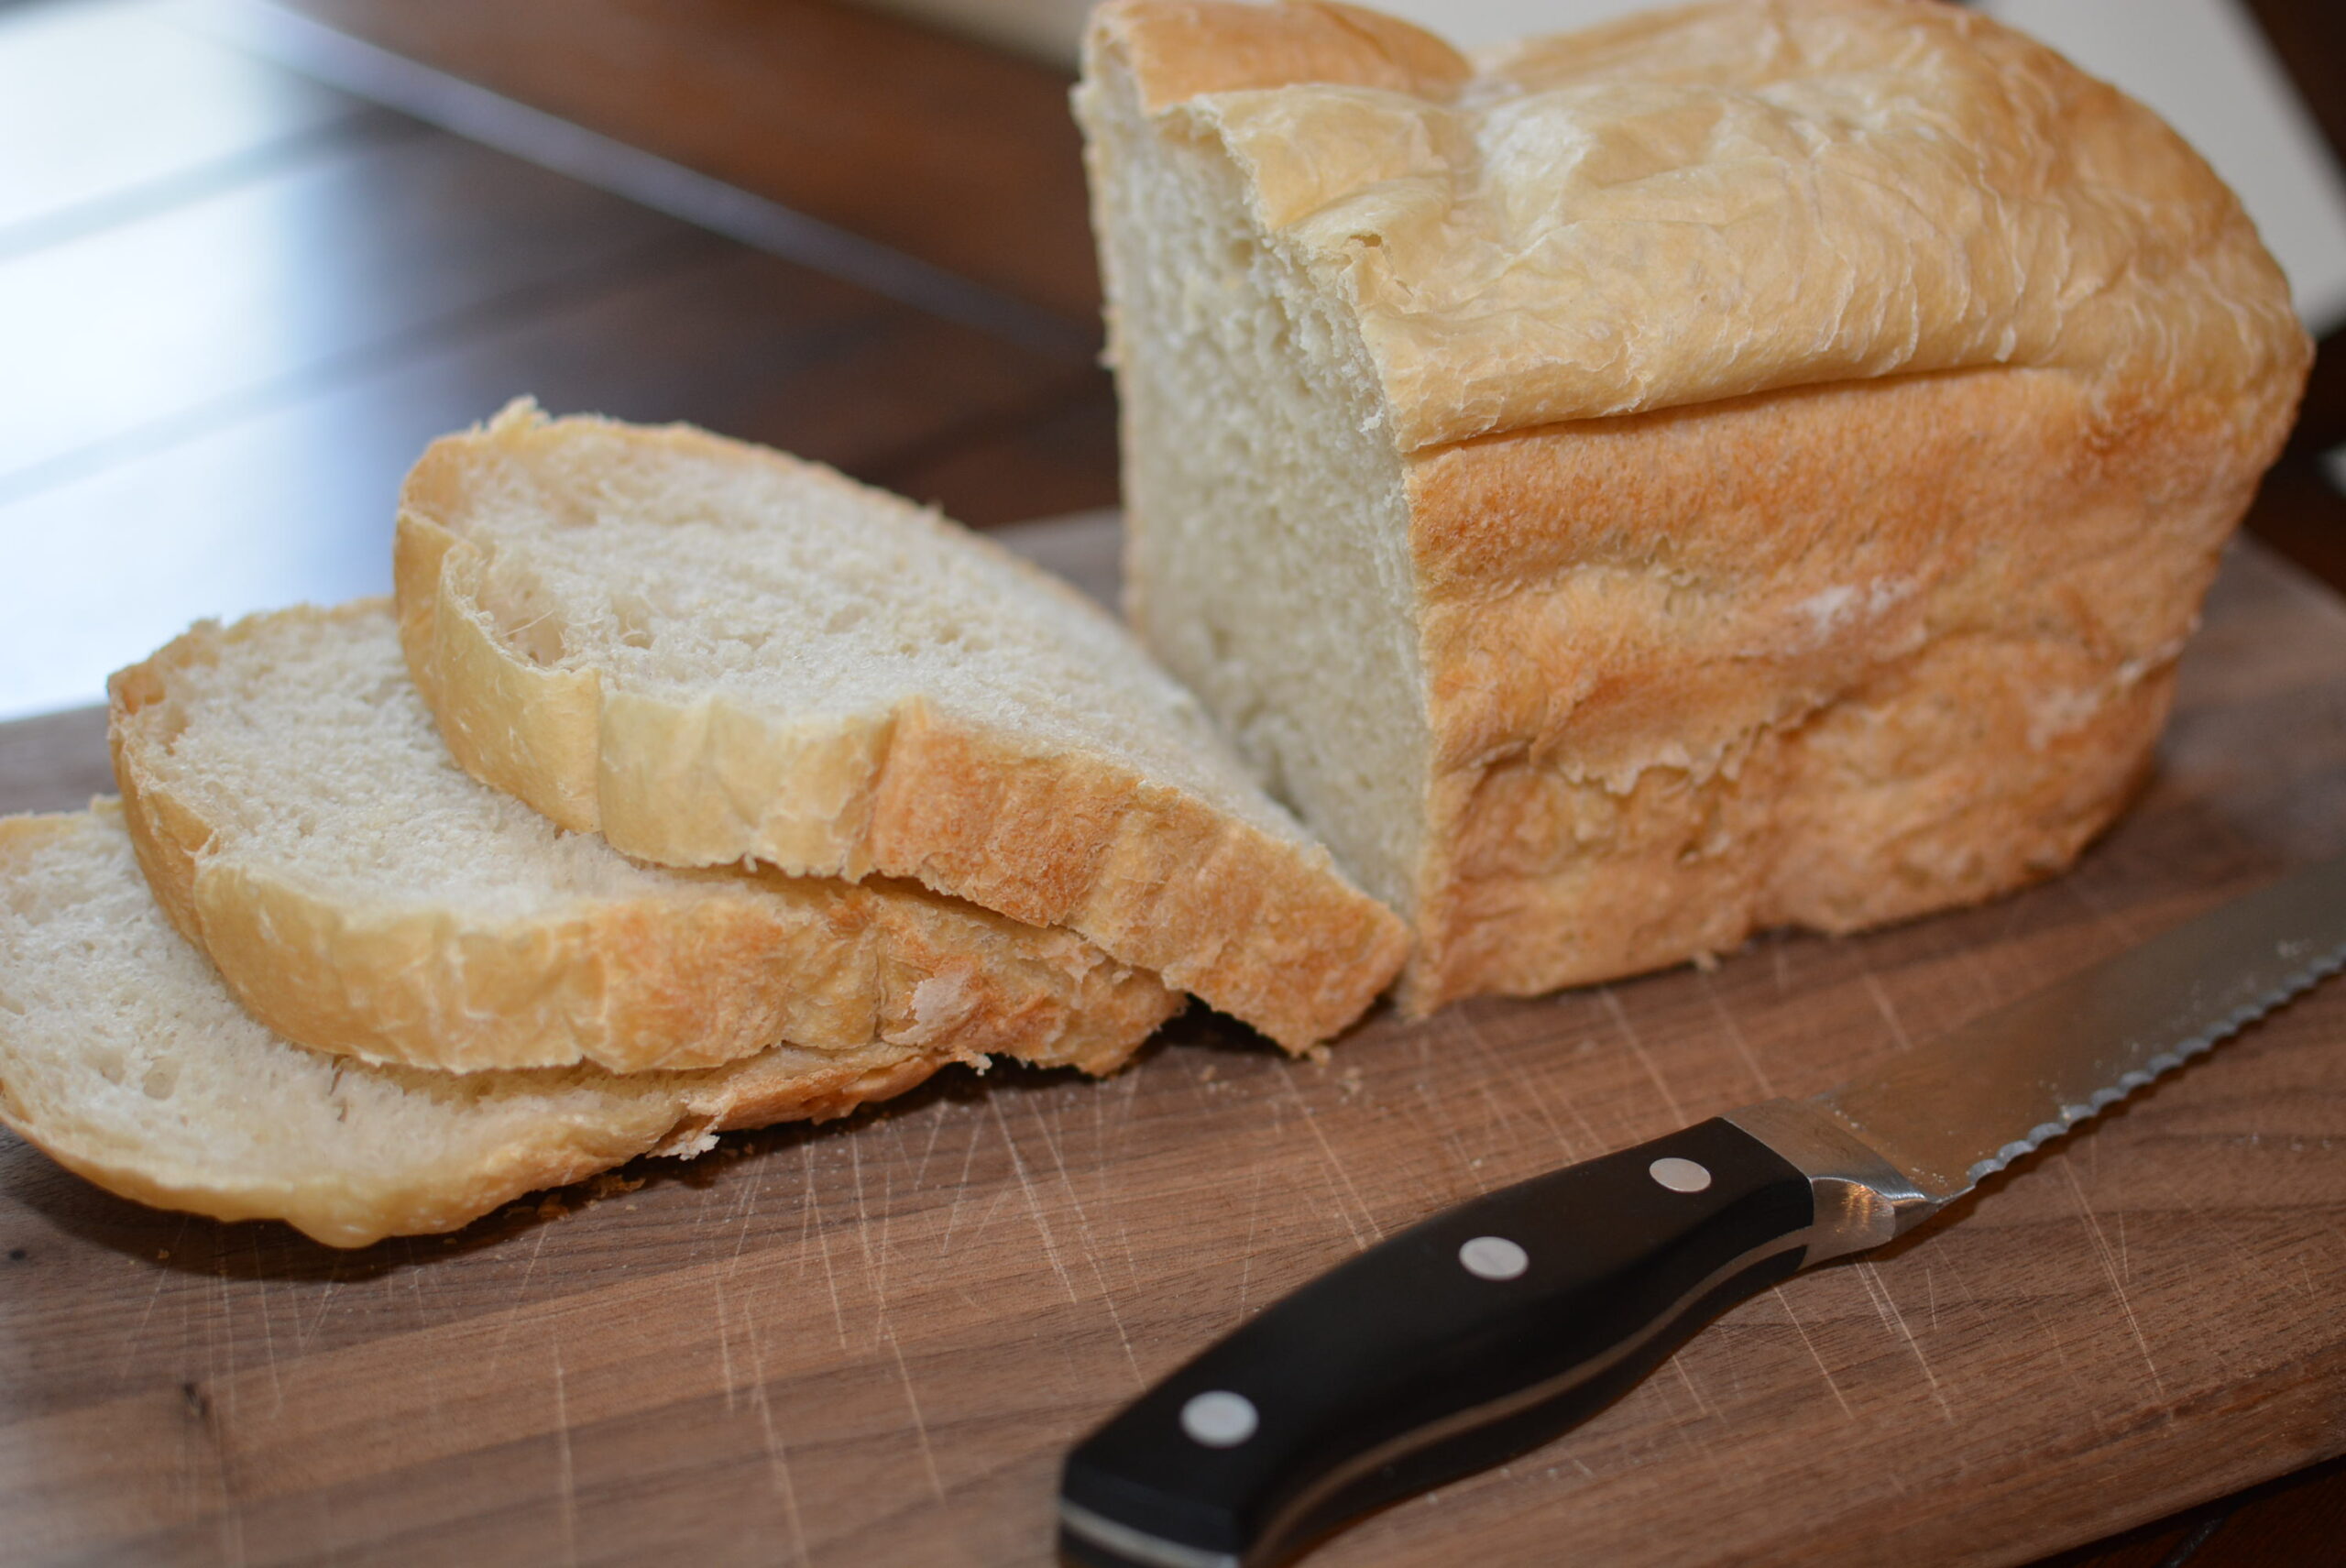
{"points": [[707, 973]]}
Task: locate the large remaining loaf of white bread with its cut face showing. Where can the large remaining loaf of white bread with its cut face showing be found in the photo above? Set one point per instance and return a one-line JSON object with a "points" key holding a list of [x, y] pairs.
{"points": [[1742, 466]]}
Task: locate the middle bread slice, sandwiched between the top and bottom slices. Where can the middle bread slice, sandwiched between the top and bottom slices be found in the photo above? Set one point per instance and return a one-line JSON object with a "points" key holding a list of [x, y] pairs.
{"points": [[301, 823]]}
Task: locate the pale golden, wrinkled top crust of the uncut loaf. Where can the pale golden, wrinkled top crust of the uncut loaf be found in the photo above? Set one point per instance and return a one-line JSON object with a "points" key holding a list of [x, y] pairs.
{"points": [[1716, 201]]}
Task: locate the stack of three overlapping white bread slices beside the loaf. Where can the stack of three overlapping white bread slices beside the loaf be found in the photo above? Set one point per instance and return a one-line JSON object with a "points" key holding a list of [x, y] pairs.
{"points": [[686, 788]]}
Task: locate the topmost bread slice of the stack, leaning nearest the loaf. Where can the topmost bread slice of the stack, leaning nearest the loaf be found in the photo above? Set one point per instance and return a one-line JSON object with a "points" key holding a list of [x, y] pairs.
{"points": [[710, 651]]}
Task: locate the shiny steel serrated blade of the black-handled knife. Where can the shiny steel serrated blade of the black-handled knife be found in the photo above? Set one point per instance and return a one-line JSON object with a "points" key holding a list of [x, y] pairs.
{"points": [[1977, 1100]]}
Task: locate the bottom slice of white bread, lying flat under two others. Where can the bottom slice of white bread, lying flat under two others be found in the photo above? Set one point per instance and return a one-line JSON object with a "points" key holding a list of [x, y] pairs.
{"points": [[126, 1060]]}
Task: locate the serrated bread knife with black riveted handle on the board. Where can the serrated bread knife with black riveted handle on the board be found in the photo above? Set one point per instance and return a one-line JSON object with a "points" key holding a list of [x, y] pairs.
{"points": [[1498, 1325]]}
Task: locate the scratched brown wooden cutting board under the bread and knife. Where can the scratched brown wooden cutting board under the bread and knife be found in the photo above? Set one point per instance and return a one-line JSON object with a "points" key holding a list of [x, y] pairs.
{"points": [[872, 1341]]}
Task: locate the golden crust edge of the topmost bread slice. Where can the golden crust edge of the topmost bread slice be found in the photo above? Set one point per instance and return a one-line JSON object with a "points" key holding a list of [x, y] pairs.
{"points": [[1261, 928]]}
